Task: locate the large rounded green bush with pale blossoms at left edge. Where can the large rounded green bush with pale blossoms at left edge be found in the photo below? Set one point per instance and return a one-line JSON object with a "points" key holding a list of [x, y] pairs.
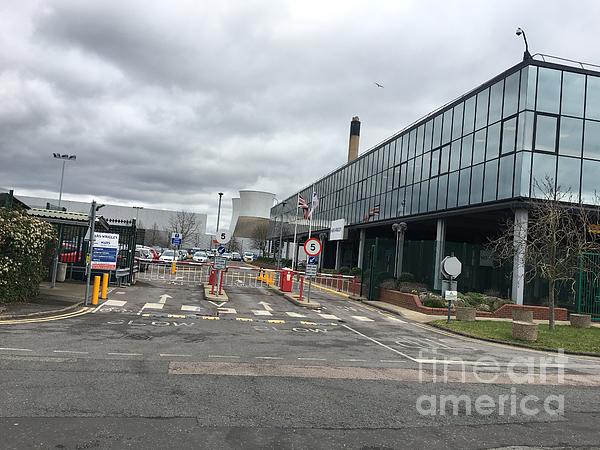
{"points": [[26, 248]]}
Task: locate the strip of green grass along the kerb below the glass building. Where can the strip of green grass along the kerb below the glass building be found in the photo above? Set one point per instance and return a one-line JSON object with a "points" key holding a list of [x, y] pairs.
{"points": [[575, 340]]}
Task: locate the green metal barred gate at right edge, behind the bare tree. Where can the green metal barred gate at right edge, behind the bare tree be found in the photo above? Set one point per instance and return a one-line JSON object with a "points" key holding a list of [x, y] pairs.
{"points": [[588, 291]]}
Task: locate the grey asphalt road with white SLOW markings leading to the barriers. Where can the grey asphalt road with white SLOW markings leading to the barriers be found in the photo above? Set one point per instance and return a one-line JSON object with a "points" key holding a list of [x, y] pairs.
{"points": [[159, 367]]}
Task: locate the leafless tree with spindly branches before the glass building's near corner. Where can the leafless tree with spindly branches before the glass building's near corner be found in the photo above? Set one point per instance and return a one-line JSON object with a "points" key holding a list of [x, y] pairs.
{"points": [[553, 239]]}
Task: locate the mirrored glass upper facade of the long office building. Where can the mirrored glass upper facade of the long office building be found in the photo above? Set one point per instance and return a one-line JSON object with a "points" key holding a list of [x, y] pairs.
{"points": [[483, 153]]}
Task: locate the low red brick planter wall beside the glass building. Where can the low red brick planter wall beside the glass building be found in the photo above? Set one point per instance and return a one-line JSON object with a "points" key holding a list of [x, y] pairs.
{"points": [[413, 302]]}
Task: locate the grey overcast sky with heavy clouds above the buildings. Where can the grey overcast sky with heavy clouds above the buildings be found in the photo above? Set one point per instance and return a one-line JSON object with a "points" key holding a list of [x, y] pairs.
{"points": [[167, 103]]}
